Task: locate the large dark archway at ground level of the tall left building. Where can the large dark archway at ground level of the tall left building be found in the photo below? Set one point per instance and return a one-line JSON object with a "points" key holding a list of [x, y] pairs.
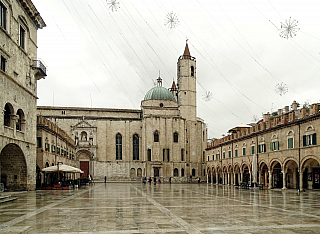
{"points": [[13, 168]]}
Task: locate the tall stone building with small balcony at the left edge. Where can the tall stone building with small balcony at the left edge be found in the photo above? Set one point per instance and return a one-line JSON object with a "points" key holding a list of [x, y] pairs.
{"points": [[19, 72]]}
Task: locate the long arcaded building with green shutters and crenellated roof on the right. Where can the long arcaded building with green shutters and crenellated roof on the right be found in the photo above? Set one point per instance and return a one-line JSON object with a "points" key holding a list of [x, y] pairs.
{"points": [[280, 151]]}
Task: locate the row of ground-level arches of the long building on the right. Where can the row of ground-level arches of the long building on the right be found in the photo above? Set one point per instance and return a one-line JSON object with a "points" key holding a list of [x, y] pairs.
{"points": [[283, 175]]}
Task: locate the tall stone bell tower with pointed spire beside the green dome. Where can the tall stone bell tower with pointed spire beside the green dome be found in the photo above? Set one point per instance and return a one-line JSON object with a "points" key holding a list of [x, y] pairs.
{"points": [[187, 94]]}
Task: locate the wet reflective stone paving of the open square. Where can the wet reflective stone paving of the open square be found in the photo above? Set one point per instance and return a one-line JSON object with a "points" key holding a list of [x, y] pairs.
{"points": [[164, 208]]}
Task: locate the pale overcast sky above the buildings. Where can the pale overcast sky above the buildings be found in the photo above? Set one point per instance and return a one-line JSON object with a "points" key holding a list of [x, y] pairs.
{"points": [[97, 57]]}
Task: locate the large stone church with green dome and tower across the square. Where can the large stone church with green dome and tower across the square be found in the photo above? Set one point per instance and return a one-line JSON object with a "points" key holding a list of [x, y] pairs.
{"points": [[163, 139]]}
